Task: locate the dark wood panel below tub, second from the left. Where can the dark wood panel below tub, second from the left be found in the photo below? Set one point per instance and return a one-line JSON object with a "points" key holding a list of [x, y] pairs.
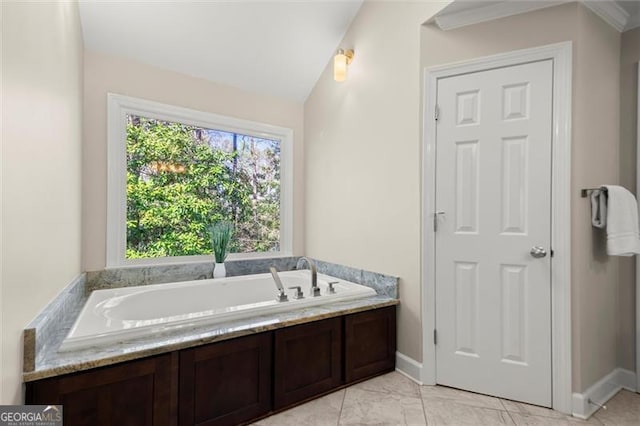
{"points": [[226, 383]]}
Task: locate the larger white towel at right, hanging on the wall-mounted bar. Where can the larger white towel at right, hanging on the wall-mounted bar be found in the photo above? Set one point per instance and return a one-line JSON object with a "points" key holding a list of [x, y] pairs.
{"points": [[623, 237]]}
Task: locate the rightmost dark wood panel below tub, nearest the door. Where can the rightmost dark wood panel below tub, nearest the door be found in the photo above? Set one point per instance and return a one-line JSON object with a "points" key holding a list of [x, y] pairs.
{"points": [[370, 343]]}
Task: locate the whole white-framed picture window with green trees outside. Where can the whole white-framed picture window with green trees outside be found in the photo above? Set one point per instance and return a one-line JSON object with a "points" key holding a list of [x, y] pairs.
{"points": [[174, 171]]}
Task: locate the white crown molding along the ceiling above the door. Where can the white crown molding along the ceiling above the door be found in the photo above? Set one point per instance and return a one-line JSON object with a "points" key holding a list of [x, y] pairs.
{"points": [[608, 10]]}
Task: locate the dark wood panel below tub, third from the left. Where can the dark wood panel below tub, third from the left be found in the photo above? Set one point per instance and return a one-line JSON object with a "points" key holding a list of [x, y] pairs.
{"points": [[308, 361]]}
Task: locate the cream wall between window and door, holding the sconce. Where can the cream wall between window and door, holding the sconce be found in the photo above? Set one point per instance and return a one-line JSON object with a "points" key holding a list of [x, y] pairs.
{"points": [[363, 156]]}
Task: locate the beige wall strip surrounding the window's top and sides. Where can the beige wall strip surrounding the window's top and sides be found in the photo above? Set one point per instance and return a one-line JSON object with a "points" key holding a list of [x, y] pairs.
{"points": [[104, 74]]}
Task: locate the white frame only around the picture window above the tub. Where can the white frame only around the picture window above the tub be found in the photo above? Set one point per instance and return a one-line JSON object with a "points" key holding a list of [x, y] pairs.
{"points": [[118, 107]]}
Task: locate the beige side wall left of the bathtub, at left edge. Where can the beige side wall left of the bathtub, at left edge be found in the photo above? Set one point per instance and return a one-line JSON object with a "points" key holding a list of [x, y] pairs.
{"points": [[41, 145]]}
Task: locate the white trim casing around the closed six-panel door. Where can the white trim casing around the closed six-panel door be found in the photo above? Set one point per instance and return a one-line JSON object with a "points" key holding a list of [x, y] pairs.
{"points": [[561, 54]]}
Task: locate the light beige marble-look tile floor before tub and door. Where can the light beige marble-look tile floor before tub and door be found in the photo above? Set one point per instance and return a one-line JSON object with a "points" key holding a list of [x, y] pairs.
{"points": [[393, 399]]}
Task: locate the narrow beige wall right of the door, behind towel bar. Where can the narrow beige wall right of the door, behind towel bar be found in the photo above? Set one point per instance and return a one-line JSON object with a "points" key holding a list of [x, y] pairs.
{"points": [[596, 135]]}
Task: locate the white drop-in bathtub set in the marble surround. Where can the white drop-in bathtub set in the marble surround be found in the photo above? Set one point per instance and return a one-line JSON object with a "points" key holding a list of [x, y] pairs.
{"points": [[121, 314]]}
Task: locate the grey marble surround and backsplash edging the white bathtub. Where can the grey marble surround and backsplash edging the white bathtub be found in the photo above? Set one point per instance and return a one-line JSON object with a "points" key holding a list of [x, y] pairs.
{"points": [[43, 336]]}
